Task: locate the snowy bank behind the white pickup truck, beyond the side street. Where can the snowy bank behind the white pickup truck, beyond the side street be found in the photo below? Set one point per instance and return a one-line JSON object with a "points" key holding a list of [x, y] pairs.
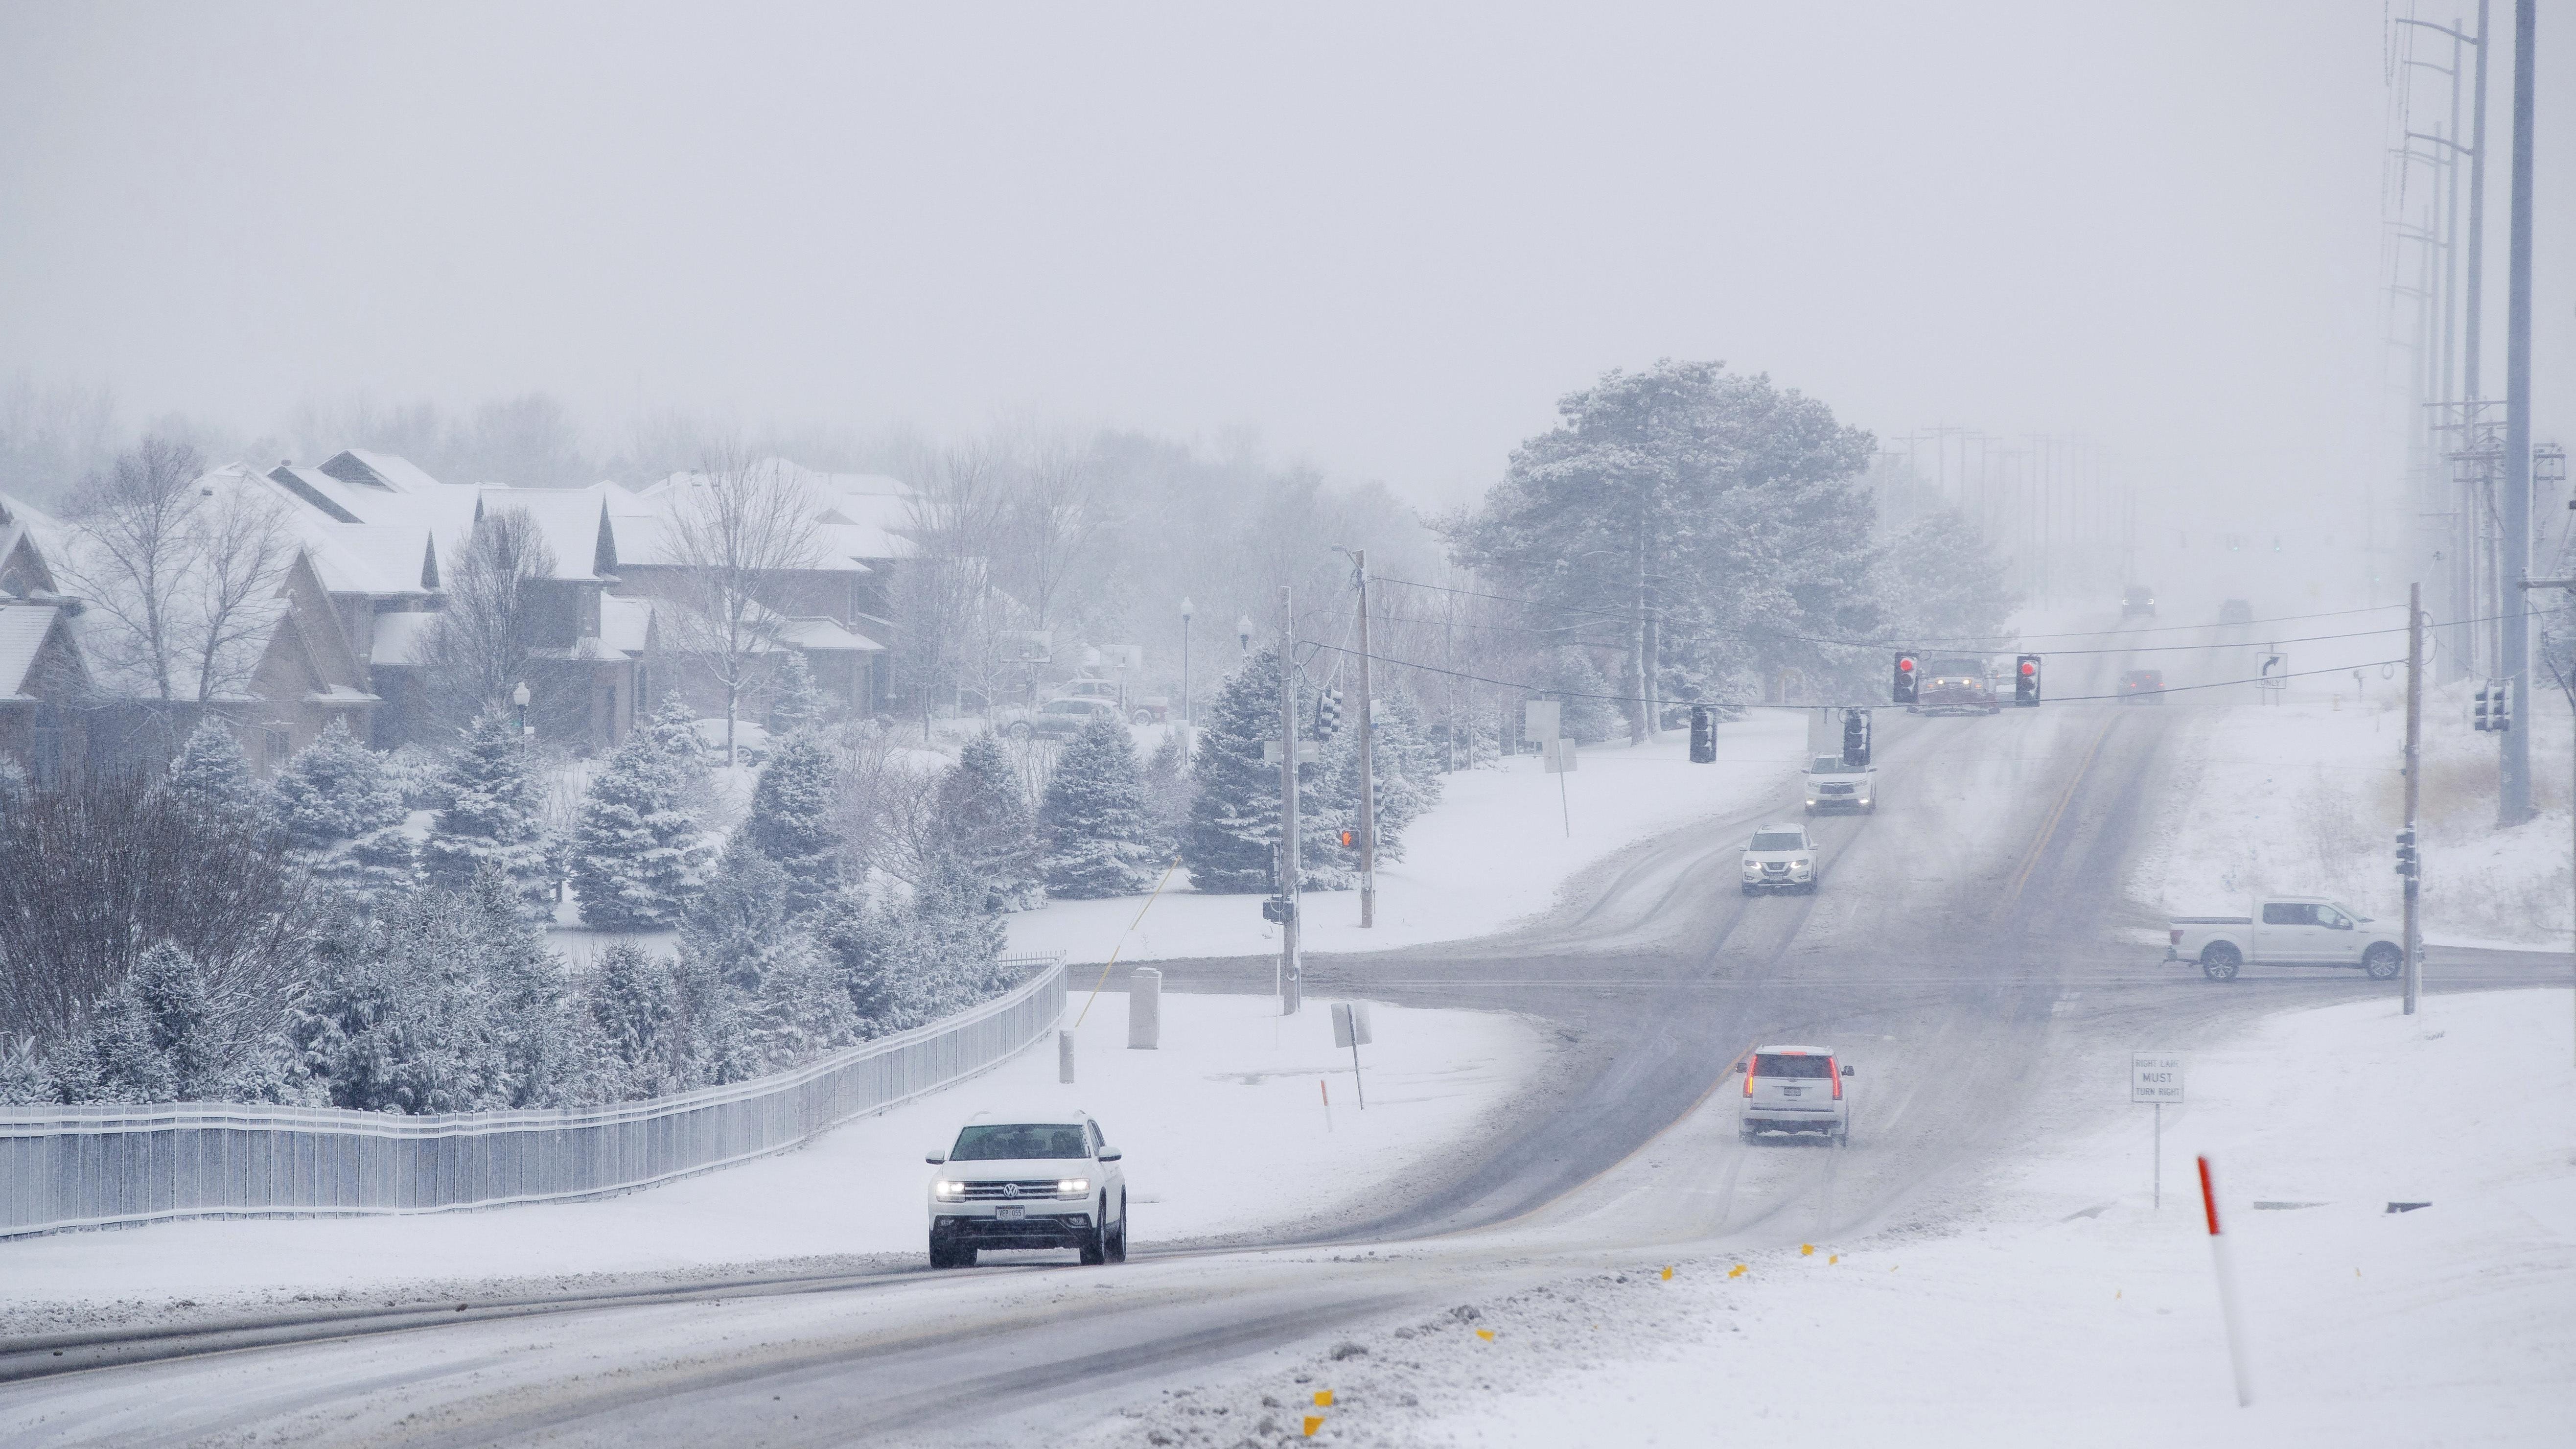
{"points": [[2307, 801]]}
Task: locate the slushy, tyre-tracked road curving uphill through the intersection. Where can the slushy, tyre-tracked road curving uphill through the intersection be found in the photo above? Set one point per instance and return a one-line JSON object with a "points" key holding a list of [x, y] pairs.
{"points": [[1964, 935]]}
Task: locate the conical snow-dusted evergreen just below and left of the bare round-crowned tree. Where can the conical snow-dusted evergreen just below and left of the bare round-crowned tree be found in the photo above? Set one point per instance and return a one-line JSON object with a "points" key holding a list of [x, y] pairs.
{"points": [[640, 855]]}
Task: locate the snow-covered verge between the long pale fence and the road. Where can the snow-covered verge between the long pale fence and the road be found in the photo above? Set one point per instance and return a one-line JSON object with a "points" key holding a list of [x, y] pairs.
{"points": [[1233, 1089]]}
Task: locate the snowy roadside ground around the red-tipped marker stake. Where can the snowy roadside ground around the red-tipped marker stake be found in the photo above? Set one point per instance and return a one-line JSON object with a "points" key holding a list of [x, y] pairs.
{"points": [[2067, 1308]]}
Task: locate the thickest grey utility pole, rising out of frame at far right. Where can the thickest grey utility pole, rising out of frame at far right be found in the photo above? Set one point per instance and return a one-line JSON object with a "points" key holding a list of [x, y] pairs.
{"points": [[2515, 746]]}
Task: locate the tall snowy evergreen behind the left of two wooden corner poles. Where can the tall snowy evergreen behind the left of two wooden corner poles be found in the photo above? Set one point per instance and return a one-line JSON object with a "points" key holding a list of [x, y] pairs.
{"points": [[1235, 813]]}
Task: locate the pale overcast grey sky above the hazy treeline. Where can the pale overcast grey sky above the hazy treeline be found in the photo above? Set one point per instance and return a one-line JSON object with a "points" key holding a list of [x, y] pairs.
{"points": [[1387, 238]]}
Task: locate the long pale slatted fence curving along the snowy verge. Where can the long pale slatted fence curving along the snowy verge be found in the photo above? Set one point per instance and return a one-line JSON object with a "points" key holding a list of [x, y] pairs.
{"points": [[112, 1167]]}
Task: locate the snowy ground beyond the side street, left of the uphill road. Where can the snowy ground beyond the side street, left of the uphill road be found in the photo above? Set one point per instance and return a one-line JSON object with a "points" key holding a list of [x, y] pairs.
{"points": [[1495, 850]]}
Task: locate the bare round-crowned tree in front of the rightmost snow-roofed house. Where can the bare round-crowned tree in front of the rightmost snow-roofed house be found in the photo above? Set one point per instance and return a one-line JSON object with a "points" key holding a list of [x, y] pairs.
{"points": [[735, 530]]}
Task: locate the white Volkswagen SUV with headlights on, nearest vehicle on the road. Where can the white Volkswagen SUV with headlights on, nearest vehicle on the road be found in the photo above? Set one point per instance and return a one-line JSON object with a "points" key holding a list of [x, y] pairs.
{"points": [[1045, 1180]]}
